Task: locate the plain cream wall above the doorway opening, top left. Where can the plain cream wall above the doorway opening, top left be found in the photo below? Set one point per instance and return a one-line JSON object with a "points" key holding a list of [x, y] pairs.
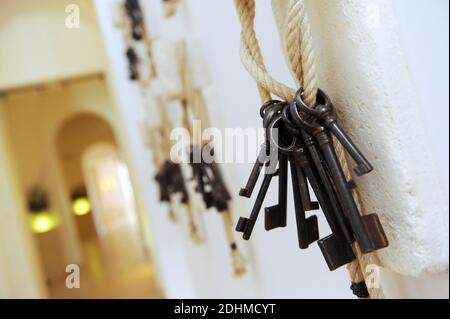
{"points": [[37, 46]]}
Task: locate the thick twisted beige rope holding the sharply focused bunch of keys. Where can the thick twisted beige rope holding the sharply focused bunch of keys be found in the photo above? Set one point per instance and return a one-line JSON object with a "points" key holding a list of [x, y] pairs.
{"points": [[301, 59]]}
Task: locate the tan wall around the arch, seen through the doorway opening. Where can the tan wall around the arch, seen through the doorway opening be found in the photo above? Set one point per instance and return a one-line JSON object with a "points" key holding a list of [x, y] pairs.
{"points": [[33, 119]]}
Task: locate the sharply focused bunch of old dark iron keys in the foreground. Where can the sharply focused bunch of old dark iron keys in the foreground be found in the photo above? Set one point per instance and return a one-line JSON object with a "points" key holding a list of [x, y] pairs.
{"points": [[300, 136]]}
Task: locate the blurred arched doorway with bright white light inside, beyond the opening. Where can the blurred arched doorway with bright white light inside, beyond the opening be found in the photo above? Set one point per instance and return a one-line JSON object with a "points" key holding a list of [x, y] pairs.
{"points": [[102, 202]]}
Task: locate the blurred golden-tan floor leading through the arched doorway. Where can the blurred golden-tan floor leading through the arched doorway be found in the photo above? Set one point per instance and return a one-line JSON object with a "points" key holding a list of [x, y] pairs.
{"points": [[115, 266]]}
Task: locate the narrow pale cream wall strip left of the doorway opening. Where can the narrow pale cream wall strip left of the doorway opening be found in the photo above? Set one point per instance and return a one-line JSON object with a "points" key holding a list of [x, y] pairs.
{"points": [[20, 271]]}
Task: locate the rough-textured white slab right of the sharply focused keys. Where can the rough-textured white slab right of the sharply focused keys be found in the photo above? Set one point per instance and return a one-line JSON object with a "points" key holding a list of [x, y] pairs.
{"points": [[363, 67]]}
